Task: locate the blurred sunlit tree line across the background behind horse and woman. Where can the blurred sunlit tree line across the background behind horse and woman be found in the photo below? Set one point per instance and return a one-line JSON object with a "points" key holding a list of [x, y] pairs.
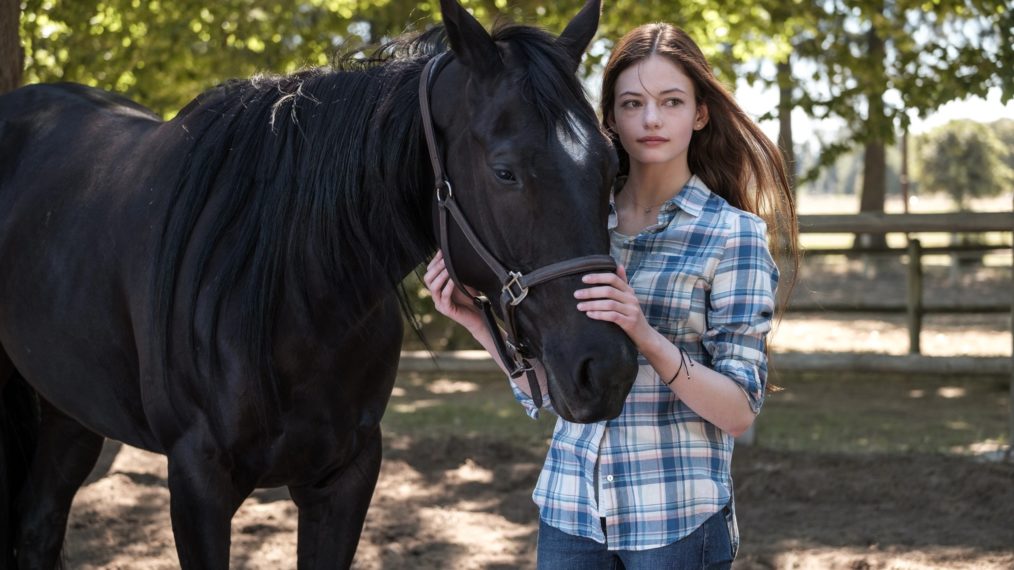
{"points": [[872, 64]]}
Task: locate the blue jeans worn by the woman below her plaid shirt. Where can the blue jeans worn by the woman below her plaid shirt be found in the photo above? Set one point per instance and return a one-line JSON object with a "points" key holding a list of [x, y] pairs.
{"points": [[707, 548]]}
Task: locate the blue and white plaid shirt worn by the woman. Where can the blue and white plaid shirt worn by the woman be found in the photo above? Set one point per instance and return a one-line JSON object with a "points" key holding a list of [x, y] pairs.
{"points": [[706, 280]]}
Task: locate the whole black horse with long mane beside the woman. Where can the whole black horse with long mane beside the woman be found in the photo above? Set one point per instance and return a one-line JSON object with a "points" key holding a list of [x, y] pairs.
{"points": [[222, 289]]}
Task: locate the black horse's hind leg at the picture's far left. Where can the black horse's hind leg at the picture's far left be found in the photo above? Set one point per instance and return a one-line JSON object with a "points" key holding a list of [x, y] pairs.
{"points": [[65, 455]]}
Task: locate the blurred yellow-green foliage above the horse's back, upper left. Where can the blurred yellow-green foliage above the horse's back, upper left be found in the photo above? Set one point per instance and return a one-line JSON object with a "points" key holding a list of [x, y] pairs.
{"points": [[163, 53]]}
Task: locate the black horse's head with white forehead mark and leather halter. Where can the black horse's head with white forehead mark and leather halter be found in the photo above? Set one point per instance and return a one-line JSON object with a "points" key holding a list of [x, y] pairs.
{"points": [[532, 174]]}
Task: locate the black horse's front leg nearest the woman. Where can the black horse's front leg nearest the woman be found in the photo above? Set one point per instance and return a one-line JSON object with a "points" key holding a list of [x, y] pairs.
{"points": [[332, 513]]}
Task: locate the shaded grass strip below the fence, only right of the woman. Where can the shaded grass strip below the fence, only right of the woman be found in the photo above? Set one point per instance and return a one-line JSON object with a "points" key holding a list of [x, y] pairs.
{"points": [[885, 413]]}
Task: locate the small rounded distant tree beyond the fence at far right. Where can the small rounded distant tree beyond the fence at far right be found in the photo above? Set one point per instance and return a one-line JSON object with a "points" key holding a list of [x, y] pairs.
{"points": [[965, 160]]}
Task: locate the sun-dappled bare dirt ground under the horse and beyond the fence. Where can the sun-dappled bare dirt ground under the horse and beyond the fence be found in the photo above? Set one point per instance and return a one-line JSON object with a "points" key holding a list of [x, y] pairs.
{"points": [[464, 503]]}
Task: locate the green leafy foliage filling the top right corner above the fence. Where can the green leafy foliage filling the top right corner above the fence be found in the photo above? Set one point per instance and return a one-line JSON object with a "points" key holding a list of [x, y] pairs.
{"points": [[913, 56]]}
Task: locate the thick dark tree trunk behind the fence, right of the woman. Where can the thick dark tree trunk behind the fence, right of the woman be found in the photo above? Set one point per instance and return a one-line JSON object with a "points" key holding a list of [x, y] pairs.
{"points": [[875, 160]]}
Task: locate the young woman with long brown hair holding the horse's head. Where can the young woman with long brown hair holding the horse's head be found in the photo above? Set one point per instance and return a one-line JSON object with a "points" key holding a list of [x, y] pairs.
{"points": [[695, 293]]}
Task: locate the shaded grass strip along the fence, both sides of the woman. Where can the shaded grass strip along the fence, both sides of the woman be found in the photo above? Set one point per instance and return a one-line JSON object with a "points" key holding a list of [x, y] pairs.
{"points": [[840, 413]]}
